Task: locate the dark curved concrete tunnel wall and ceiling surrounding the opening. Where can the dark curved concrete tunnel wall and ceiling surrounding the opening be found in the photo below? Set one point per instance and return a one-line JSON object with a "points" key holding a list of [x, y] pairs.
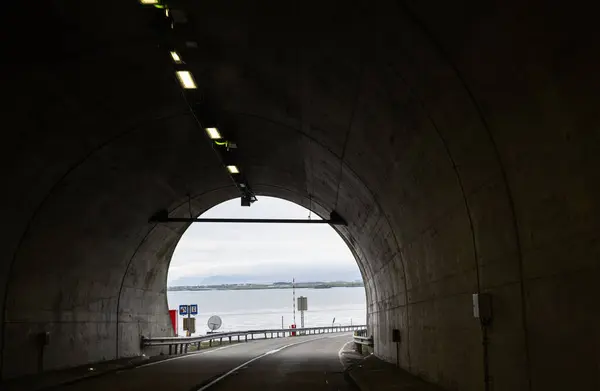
{"points": [[469, 137]]}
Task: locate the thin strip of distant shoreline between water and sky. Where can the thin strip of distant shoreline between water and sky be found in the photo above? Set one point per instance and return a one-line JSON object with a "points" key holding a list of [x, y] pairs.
{"points": [[276, 285]]}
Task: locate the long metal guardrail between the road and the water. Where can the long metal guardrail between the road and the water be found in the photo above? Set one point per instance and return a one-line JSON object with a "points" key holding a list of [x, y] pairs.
{"points": [[181, 344]]}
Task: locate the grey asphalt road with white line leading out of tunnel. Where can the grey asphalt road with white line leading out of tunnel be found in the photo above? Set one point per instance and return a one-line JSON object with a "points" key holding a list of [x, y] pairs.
{"points": [[300, 363]]}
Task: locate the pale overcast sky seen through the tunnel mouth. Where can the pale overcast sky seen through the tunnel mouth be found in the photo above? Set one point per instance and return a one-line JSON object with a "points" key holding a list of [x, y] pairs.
{"points": [[220, 253]]}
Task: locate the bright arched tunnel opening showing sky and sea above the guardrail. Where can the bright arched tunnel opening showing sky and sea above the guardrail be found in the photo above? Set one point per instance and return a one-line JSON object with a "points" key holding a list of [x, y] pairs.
{"points": [[244, 272]]}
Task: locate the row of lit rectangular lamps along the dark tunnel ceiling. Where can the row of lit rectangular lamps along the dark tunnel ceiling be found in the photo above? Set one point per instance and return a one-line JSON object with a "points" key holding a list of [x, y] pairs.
{"points": [[186, 80]]}
